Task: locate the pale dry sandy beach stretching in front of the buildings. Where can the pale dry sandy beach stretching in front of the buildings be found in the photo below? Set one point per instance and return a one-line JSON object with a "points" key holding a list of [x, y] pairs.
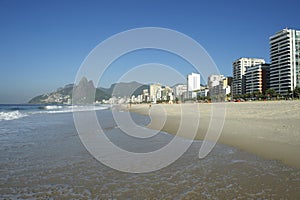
{"points": [[268, 129]]}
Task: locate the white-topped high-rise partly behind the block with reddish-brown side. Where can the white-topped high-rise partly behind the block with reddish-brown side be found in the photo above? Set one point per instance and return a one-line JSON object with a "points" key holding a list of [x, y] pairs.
{"points": [[239, 69]]}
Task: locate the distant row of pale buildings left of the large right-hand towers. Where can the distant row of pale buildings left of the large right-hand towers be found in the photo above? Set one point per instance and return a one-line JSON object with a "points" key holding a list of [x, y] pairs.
{"points": [[218, 86]]}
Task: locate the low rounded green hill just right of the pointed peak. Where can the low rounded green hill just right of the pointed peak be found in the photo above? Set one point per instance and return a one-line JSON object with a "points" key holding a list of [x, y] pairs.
{"points": [[125, 89]]}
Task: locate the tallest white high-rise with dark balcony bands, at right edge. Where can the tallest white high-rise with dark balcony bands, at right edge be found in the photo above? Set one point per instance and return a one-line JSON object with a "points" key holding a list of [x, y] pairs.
{"points": [[285, 63]]}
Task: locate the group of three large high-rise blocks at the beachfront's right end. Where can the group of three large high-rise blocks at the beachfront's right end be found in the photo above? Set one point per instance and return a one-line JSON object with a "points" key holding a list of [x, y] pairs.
{"points": [[282, 75]]}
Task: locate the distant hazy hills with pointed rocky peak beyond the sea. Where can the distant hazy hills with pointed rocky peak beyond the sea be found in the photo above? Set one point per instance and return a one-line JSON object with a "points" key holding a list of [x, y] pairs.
{"points": [[85, 91]]}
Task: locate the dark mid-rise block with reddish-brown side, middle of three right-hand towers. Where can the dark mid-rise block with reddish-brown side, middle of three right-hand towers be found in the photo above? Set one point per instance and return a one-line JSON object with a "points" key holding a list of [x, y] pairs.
{"points": [[257, 78]]}
